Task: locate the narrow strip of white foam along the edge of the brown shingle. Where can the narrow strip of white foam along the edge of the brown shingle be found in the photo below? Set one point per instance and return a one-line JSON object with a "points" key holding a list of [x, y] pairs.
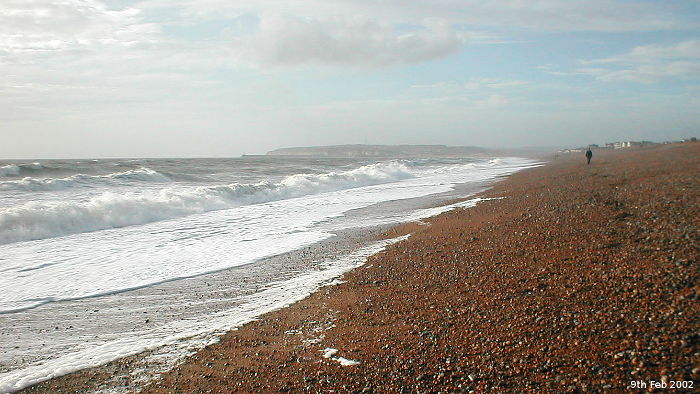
{"points": [[185, 336]]}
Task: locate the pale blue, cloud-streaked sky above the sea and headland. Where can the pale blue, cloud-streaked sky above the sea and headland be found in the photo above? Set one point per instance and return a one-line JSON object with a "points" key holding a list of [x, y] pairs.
{"points": [[211, 78]]}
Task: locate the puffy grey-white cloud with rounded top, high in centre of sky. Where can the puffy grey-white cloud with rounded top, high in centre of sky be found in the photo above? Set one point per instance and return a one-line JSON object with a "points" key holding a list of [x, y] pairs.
{"points": [[340, 41]]}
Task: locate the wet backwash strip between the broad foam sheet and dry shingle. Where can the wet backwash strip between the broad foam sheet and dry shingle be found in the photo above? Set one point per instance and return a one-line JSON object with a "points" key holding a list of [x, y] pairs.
{"points": [[165, 318]]}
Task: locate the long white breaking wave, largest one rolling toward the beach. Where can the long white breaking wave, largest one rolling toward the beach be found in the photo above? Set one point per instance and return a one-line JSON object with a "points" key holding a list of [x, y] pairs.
{"points": [[46, 219]]}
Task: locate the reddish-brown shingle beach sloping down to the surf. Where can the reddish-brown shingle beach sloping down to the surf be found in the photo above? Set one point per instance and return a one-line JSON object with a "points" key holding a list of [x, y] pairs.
{"points": [[575, 278]]}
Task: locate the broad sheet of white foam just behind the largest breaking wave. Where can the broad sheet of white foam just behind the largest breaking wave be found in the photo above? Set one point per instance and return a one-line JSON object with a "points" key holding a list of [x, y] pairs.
{"points": [[56, 269]]}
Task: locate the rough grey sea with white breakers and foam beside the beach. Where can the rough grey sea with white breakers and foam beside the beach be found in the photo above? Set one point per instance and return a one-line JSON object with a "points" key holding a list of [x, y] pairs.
{"points": [[157, 258]]}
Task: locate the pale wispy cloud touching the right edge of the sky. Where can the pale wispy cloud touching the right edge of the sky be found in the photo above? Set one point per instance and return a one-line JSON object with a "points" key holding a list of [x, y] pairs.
{"points": [[649, 63]]}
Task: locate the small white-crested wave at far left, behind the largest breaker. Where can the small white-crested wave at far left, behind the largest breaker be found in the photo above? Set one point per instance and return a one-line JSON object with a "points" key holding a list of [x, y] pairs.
{"points": [[37, 184]]}
